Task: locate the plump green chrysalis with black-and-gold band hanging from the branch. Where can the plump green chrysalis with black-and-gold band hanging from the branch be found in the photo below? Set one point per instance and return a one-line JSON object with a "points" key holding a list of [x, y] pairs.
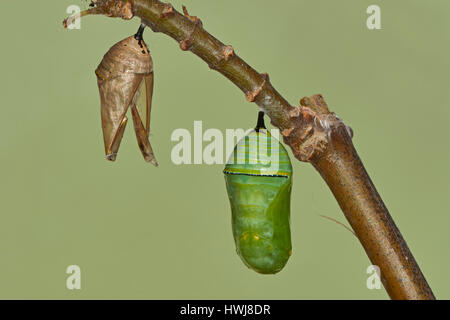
{"points": [[260, 194]]}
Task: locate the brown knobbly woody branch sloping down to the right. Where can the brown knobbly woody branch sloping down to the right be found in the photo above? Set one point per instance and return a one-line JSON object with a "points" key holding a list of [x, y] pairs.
{"points": [[314, 134]]}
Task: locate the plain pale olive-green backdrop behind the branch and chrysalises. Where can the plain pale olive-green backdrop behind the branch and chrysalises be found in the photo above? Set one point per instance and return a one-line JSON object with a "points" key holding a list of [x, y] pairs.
{"points": [[140, 232]]}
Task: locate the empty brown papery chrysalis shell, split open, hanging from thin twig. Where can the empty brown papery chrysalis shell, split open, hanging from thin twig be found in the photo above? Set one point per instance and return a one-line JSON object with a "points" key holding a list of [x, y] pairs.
{"points": [[125, 79]]}
